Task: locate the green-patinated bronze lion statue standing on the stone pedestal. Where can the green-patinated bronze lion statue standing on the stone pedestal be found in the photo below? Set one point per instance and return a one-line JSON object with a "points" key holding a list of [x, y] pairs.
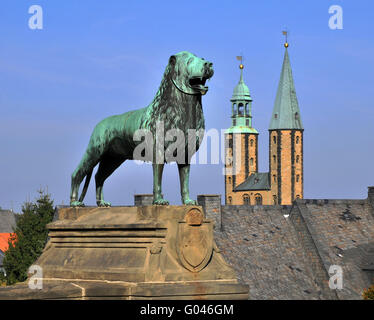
{"points": [[176, 105]]}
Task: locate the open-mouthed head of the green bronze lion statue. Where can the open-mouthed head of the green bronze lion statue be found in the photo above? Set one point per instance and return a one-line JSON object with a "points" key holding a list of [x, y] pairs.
{"points": [[189, 72]]}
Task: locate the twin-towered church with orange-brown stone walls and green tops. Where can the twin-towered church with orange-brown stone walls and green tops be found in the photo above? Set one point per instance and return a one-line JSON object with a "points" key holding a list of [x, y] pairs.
{"points": [[244, 184]]}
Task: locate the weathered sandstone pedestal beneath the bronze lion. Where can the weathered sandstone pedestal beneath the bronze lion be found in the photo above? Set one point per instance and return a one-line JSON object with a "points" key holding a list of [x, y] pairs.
{"points": [[149, 252]]}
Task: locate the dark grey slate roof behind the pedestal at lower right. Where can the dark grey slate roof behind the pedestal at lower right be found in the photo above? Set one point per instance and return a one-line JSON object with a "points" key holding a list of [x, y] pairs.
{"points": [[285, 252]]}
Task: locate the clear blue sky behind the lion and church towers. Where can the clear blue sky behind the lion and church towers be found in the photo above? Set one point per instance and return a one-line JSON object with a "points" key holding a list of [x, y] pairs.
{"points": [[94, 59]]}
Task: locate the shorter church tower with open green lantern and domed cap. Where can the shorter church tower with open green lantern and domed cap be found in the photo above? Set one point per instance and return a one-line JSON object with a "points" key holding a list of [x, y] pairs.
{"points": [[241, 148]]}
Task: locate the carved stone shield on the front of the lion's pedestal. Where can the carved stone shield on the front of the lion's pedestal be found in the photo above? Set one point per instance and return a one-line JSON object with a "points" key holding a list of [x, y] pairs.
{"points": [[195, 241]]}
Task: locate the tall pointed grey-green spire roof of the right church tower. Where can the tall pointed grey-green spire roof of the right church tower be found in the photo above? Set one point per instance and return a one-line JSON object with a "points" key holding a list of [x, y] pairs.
{"points": [[286, 112]]}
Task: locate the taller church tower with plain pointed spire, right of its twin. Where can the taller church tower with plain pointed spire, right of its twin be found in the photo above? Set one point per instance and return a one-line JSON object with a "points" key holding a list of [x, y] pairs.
{"points": [[286, 141]]}
